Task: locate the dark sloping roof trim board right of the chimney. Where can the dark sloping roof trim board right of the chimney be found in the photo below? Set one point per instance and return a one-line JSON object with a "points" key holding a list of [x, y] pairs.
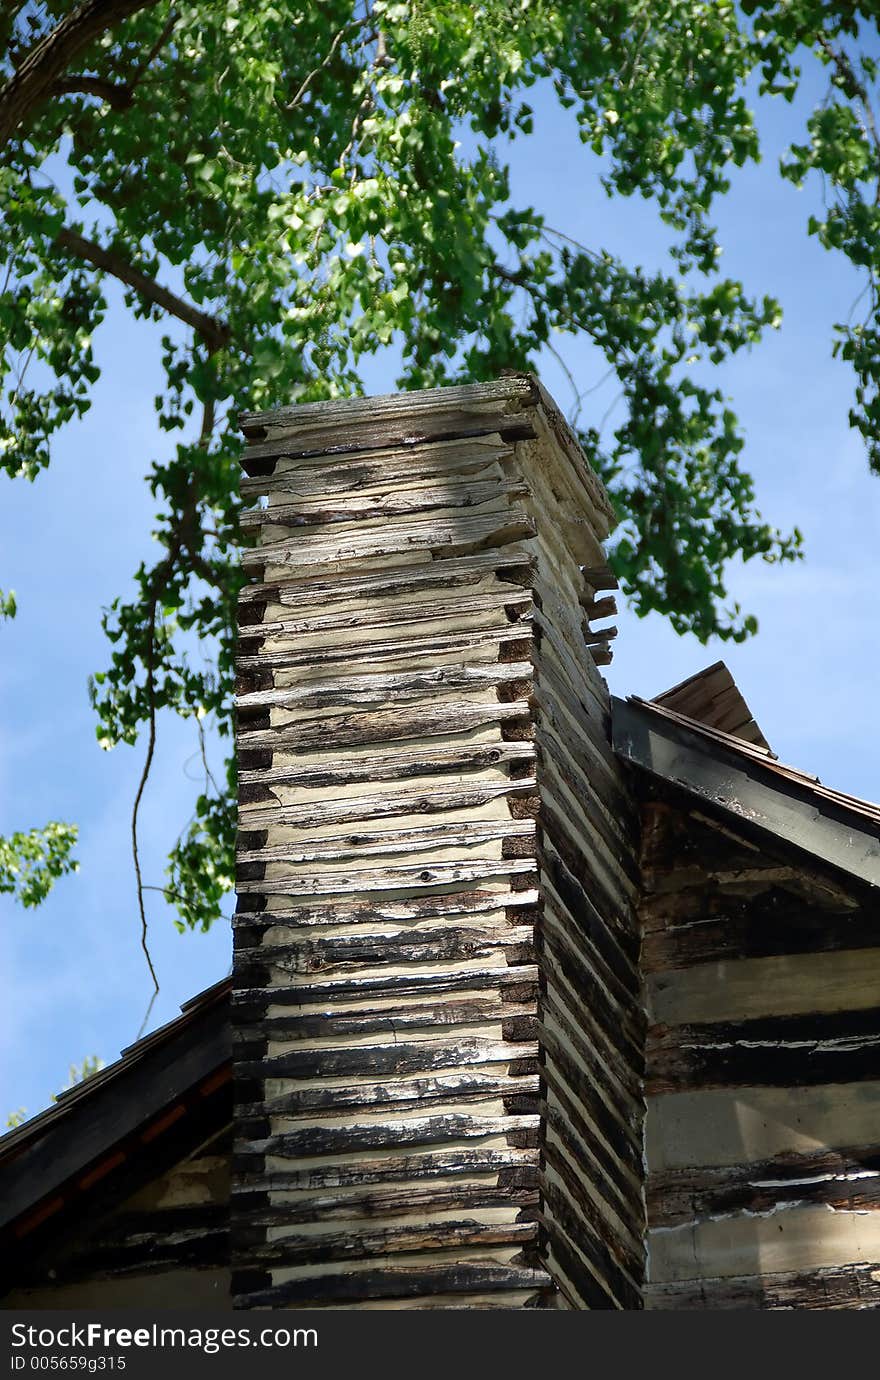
{"points": [[737, 783]]}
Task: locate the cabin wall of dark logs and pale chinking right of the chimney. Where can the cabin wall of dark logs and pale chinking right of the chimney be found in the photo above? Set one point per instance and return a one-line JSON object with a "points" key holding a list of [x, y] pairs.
{"points": [[763, 1143]]}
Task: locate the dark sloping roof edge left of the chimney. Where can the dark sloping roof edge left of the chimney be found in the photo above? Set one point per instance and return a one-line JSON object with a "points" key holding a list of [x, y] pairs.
{"points": [[96, 1130]]}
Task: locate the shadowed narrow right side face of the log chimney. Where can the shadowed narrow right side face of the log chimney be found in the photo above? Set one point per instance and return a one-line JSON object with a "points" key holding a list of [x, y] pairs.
{"points": [[592, 1019]]}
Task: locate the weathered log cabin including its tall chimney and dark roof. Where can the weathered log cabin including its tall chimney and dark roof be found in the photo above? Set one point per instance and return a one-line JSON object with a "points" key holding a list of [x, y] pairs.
{"points": [[540, 998]]}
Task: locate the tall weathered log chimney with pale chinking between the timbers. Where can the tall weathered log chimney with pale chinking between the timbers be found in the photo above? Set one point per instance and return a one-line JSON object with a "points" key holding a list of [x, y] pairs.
{"points": [[438, 1018]]}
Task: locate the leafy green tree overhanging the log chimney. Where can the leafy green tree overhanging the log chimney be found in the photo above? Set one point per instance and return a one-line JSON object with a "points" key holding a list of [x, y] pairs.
{"points": [[292, 188]]}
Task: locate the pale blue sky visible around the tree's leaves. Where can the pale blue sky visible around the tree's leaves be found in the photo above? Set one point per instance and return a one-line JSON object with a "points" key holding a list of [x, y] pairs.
{"points": [[75, 982]]}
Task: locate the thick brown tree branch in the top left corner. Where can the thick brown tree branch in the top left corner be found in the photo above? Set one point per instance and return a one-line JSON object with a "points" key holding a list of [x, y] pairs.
{"points": [[54, 53]]}
